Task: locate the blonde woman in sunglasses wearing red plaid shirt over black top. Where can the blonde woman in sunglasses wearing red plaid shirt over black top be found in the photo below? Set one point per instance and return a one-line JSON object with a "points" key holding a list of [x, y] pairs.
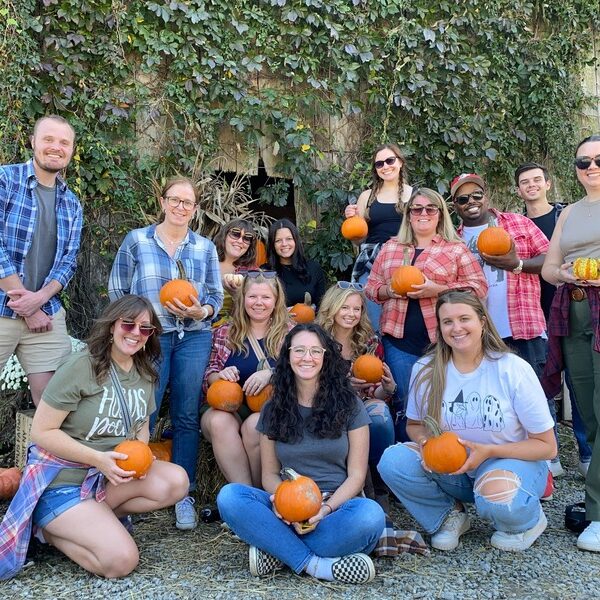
{"points": [[408, 324]]}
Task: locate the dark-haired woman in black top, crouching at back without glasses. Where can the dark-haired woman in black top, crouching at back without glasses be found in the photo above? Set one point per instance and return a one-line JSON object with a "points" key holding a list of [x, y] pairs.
{"points": [[285, 255]]}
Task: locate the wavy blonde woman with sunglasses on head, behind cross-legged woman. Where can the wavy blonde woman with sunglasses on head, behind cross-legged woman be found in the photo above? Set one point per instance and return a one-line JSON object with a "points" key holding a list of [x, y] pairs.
{"points": [[343, 315]]}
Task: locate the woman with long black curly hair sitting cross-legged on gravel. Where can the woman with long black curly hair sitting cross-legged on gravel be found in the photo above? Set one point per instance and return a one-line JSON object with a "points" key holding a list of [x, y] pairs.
{"points": [[316, 425]]}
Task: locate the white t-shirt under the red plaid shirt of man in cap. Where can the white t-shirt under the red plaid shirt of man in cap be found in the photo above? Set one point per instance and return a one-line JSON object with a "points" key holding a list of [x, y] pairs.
{"points": [[497, 298]]}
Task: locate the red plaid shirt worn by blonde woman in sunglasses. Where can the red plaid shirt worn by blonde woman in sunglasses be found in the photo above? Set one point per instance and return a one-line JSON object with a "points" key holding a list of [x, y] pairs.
{"points": [[450, 264]]}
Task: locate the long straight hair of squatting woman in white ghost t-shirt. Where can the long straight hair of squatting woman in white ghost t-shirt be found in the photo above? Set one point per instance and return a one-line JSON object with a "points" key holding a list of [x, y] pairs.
{"points": [[431, 378]]}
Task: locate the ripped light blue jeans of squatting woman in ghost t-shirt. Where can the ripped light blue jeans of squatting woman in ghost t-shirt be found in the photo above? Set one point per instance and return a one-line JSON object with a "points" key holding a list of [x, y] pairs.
{"points": [[430, 497]]}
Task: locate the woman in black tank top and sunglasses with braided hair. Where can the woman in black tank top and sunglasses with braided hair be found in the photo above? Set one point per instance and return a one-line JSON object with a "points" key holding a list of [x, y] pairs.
{"points": [[382, 205]]}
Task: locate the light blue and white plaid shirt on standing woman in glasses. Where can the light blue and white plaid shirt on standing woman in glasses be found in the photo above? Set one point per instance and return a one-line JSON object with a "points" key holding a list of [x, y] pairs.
{"points": [[142, 266]]}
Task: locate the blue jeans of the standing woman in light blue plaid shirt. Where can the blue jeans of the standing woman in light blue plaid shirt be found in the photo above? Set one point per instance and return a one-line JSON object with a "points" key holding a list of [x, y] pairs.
{"points": [[181, 367]]}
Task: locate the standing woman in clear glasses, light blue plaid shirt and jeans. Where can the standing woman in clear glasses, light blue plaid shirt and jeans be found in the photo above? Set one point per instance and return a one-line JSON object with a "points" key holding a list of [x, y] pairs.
{"points": [[146, 260]]}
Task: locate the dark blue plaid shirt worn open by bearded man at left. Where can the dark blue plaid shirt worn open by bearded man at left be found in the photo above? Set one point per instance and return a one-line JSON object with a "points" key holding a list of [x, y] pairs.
{"points": [[18, 216]]}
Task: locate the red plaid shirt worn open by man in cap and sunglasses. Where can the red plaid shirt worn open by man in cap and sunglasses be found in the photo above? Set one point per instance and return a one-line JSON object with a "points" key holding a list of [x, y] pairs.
{"points": [[525, 313]]}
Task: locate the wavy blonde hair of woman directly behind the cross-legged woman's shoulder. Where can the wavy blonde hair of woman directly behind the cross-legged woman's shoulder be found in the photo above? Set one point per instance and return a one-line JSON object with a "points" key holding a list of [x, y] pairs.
{"points": [[331, 303]]}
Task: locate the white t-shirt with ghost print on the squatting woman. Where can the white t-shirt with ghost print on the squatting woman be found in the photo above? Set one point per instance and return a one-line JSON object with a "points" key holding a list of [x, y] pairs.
{"points": [[497, 403]]}
